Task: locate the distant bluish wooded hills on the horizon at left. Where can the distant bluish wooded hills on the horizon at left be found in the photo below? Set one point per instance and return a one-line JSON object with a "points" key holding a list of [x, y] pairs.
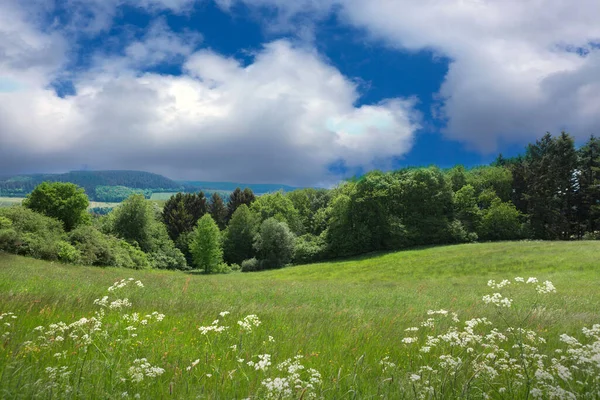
{"points": [[115, 185]]}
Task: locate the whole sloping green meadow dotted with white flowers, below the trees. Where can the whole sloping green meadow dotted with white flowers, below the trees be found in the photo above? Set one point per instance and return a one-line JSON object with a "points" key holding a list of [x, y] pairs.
{"points": [[344, 318]]}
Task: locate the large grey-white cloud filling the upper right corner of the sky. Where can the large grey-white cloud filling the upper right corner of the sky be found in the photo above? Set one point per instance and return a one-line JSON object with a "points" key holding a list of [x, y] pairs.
{"points": [[517, 68]]}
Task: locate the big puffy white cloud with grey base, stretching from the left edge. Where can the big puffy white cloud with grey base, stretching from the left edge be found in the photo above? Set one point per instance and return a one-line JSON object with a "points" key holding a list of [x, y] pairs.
{"points": [[285, 117]]}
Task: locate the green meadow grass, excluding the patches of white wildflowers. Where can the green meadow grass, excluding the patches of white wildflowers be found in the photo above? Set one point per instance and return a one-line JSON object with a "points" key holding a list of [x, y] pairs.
{"points": [[342, 316]]}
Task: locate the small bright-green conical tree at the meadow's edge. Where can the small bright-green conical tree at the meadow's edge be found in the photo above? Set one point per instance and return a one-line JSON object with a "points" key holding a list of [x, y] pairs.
{"points": [[206, 245]]}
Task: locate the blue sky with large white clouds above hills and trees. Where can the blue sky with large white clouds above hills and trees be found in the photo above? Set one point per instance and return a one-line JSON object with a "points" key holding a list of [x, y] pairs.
{"points": [[299, 92]]}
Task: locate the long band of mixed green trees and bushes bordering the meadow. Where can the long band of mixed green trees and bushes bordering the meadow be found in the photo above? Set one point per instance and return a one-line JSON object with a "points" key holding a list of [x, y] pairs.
{"points": [[551, 192]]}
